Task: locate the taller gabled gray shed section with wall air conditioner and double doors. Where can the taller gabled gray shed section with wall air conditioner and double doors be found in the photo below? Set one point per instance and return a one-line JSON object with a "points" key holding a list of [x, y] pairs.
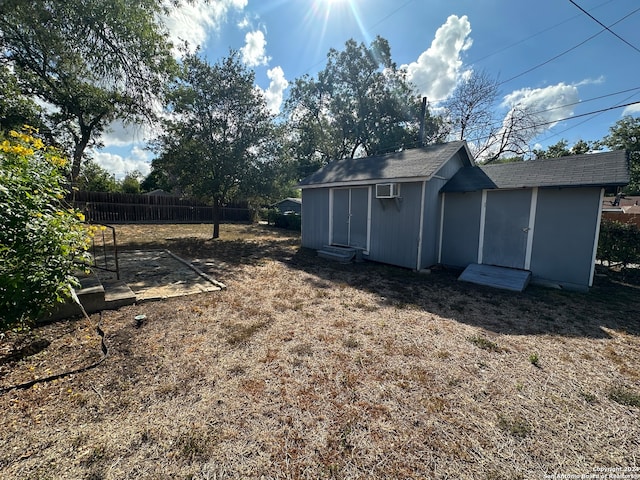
{"points": [[386, 206]]}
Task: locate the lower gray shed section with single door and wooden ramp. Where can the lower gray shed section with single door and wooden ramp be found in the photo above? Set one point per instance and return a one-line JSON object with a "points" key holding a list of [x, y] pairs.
{"points": [[542, 216]]}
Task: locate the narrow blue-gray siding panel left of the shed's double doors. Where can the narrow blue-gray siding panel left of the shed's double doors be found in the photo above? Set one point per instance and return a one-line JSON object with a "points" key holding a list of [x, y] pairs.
{"points": [[315, 217]]}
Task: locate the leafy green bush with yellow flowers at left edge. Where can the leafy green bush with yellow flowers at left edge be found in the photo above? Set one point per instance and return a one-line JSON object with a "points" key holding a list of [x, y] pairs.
{"points": [[41, 239]]}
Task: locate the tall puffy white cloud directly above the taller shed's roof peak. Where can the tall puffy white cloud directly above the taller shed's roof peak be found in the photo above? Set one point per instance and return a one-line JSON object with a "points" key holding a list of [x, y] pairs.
{"points": [[439, 68]]}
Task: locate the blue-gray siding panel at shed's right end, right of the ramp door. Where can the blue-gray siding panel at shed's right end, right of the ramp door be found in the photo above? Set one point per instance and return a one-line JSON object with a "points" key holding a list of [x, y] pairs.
{"points": [[565, 229]]}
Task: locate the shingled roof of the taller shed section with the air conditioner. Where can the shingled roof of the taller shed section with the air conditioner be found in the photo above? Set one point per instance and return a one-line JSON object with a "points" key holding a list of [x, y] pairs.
{"points": [[415, 163]]}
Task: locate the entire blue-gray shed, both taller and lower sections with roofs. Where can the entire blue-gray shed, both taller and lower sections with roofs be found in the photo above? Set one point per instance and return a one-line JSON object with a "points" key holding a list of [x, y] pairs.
{"points": [[433, 205]]}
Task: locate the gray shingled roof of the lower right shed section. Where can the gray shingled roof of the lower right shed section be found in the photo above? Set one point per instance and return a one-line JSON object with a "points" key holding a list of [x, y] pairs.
{"points": [[606, 169]]}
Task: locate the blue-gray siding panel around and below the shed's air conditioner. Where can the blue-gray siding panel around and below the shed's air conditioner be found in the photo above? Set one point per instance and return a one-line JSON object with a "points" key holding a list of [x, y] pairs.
{"points": [[395, 227]]}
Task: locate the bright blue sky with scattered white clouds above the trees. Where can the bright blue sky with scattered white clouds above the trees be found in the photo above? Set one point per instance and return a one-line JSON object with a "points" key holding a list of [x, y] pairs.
{"points": [[541, 52]]}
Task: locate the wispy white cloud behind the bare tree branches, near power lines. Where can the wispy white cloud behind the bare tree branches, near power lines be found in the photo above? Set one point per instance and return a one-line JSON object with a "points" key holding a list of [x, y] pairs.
{"points": [[550, 104]]}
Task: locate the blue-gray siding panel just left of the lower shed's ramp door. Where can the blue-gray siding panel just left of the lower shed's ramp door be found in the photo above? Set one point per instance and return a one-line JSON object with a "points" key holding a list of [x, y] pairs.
{"points": [[461, 229]]}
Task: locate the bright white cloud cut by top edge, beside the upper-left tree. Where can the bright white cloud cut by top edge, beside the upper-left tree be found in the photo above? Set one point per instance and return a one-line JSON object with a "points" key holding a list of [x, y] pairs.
{"points": [[193, 21]]}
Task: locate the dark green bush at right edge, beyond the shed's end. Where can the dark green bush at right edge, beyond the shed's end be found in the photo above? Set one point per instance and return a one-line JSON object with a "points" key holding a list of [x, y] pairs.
{"points": [[619, 243]]}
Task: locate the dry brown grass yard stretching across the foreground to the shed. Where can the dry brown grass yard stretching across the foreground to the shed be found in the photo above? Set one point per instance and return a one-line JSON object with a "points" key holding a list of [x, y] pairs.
{"points": [[308, 369]]}
